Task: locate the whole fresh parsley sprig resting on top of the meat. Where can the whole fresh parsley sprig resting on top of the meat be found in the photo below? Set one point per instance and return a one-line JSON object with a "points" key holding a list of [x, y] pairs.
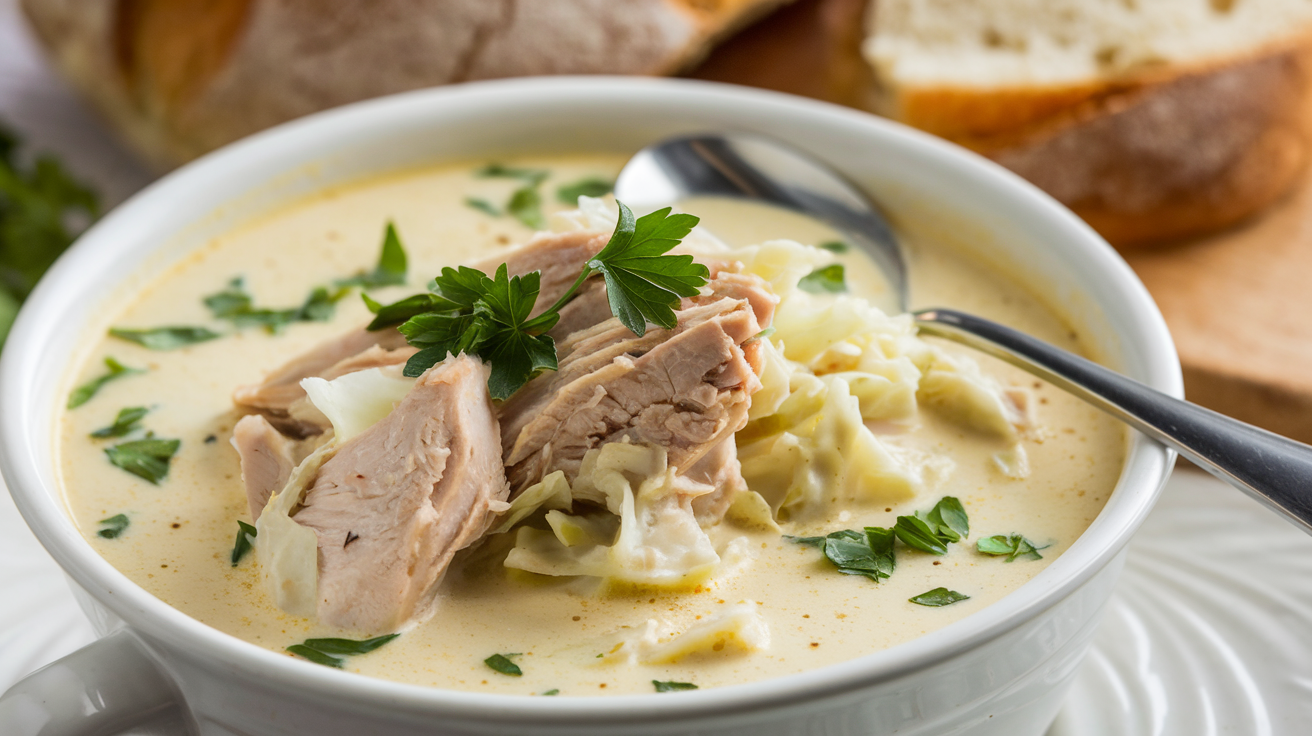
{"points": [[468, 312]]}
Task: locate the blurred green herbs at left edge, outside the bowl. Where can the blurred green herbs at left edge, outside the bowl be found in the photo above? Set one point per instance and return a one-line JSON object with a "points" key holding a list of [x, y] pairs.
{"points": [[40, 208]]}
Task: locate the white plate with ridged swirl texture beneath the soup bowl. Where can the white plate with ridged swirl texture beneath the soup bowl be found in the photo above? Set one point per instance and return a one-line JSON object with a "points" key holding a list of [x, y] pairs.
{"points": [[1210, 632]]}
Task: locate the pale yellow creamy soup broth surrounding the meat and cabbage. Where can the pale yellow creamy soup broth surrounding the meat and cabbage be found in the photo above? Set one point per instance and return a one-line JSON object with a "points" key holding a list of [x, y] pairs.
{"points": [[569, 636]]}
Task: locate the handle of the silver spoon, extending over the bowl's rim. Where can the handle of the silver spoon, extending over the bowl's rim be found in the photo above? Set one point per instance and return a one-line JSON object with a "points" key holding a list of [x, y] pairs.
{"points": [[1275, 470]]}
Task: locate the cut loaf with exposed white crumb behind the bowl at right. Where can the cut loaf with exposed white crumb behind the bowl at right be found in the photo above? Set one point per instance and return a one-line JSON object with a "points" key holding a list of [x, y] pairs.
{"points": [[1154, 120]]}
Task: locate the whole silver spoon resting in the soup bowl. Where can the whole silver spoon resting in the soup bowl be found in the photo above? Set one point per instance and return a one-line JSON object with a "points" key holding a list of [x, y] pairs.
{"points": [[1275, 470]]}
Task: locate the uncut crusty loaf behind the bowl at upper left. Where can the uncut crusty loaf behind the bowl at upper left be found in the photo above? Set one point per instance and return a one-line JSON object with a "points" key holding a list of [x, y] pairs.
{"points": [[179, 78]]}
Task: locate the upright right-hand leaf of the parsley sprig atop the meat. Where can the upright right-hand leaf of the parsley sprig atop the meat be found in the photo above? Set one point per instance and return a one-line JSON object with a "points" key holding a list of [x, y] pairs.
{"points": [[644, 284]]}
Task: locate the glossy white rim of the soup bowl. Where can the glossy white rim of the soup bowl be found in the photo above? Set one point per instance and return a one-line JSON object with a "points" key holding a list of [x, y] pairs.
{"points": [[1145, 473]]}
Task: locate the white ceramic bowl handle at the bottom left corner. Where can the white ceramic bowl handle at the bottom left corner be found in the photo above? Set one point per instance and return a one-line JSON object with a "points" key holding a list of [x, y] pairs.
{"points": [[104, 688]]}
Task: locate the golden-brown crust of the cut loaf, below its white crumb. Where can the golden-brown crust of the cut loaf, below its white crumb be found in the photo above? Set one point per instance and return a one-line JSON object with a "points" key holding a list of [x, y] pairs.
{"points": [[1170, 154]]}
